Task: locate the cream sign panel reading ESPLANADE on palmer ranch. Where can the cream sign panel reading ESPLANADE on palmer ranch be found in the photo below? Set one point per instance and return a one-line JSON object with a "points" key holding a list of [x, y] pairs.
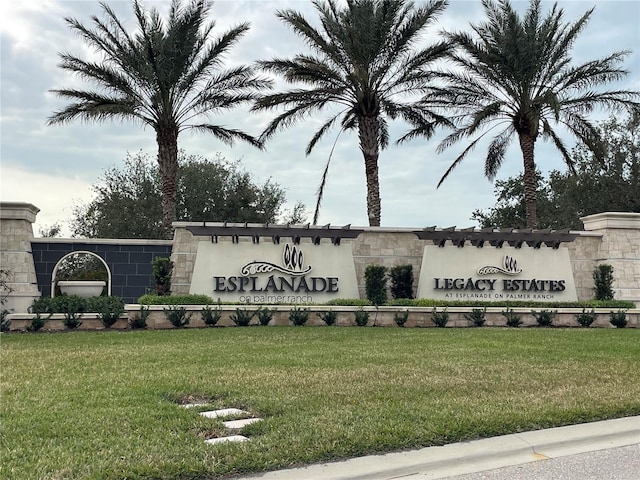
{"points": [[268, 273]]}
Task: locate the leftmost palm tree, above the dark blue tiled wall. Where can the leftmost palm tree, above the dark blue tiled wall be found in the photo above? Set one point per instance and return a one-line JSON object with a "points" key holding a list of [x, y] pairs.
{"points": [[167, 75]]}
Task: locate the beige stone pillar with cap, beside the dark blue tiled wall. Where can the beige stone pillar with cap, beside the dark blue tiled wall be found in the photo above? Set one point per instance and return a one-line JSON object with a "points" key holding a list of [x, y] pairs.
{"points": [[16, 232]]}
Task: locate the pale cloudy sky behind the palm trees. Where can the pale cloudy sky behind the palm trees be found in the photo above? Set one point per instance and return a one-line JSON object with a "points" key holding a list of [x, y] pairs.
{"points": [[54, 167]]}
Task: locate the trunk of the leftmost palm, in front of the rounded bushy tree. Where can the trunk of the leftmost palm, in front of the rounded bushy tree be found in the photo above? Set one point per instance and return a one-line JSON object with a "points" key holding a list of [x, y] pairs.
{"points": [[167, 139]]}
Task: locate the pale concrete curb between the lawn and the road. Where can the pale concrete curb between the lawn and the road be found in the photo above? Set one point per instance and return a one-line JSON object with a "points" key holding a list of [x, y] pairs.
{"points": [[474, 456]]}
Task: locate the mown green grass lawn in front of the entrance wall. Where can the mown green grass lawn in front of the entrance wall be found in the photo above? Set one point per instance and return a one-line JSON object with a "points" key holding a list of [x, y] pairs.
{"points": [[105, 404]]}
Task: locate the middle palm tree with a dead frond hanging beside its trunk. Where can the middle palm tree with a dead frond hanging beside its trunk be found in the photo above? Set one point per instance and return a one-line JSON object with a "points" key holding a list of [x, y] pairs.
{"points": [[365, 63]]}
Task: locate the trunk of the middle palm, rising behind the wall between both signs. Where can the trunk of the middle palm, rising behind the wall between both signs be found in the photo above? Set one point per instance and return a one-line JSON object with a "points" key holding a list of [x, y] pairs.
{"points": [[368, 130]]}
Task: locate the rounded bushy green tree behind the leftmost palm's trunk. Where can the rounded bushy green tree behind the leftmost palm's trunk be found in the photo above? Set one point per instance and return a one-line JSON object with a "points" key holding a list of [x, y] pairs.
{"points": [[127, 201]]}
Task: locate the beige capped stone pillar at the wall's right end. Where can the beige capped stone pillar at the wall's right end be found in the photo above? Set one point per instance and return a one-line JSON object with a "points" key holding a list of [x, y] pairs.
{"points": [[620, 247]]}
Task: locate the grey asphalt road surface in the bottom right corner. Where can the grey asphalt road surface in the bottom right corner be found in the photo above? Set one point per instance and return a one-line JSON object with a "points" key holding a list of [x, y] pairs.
{"points": [[622, 463]]}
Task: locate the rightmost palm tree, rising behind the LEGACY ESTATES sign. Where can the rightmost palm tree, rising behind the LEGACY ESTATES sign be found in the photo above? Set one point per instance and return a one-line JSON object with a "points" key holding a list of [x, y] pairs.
{"points": [[516, 75]]}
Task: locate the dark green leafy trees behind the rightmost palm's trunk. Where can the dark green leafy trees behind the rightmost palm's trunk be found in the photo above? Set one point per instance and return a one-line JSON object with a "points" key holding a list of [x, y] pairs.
{"points": [[612, 186]]}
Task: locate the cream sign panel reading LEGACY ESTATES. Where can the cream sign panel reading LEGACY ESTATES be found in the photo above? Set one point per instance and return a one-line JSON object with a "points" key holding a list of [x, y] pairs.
{"points": [[496, 274]]}
